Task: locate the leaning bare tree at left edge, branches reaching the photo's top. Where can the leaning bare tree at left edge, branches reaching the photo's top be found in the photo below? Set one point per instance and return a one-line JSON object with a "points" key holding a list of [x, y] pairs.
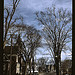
{"points": [[9, 22]]}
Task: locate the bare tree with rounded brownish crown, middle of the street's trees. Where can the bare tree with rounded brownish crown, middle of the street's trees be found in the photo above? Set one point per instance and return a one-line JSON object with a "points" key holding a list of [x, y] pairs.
{"points": [[33, 42]]}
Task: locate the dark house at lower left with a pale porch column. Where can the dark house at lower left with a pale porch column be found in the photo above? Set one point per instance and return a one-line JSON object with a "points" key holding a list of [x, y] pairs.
{"points": [[12, 61]]}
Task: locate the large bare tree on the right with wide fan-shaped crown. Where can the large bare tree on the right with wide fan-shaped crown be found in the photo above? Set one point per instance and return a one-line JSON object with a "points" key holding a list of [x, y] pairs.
{"points": [[57, 30]]}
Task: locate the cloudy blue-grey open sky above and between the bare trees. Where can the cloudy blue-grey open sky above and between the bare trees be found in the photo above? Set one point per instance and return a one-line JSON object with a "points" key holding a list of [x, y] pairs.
{"points": [[27, 8]]}
